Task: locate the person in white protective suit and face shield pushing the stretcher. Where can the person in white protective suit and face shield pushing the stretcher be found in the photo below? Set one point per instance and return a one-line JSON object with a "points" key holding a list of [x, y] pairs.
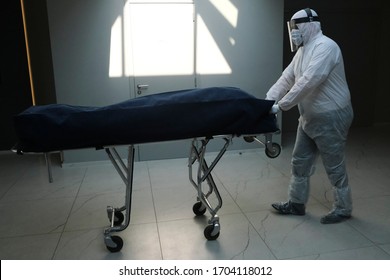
{"points": [[315, 81]]}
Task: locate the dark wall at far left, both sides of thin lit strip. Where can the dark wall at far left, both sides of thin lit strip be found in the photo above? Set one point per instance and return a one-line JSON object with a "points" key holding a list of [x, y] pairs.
{"points": [[15, 90]]}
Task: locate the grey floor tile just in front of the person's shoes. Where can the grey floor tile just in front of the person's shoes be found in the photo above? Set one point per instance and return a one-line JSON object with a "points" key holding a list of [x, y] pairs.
{"points": [[294, 236]]}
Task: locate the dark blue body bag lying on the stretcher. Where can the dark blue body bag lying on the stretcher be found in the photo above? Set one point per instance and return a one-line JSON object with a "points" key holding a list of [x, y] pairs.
{"points": [[160, 117]]}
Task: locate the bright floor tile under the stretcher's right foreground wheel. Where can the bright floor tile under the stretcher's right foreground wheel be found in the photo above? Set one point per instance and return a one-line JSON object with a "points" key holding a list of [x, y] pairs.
{"points": [[184, 239]]}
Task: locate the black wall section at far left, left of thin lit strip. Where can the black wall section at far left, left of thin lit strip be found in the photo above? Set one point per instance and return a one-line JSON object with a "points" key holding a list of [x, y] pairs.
{"points": [[14, 79]]}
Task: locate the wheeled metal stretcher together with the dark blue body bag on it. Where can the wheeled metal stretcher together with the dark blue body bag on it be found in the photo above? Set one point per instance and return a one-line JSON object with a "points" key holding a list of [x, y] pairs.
{"points": [[199, 114]]}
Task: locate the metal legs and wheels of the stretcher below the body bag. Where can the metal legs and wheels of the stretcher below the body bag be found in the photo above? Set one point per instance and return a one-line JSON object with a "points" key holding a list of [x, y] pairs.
{"points": [[119, 217]]}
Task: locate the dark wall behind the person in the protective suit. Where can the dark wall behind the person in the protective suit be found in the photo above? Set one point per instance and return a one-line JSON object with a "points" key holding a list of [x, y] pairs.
{"points": [[356, 26]]}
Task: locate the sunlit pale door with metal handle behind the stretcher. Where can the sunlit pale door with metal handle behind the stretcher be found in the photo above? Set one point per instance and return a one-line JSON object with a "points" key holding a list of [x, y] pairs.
{"points": [[160, 47]]}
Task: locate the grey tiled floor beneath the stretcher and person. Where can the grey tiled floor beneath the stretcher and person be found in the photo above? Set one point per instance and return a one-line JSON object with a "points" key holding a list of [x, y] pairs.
{"points": [[65, 219]]}
